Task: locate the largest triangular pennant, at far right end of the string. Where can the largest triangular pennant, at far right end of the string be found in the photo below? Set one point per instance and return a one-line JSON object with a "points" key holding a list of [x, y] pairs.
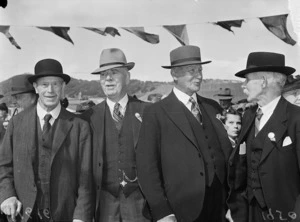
{"points": [[277, 25]]}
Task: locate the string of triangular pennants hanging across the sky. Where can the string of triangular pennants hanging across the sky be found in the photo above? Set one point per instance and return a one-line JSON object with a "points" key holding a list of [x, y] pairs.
{"points": [[275, 24]]}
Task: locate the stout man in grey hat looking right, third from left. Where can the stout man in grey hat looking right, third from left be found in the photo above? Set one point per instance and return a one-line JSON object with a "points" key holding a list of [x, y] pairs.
{"points": [[183, 148]]}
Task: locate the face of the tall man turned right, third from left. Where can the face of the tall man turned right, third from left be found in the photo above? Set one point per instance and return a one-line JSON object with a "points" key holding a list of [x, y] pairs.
{"points": [[188, 78]]}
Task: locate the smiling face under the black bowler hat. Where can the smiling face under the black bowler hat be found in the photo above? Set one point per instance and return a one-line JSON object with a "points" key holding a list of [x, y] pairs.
{"points": [[50, 90]]}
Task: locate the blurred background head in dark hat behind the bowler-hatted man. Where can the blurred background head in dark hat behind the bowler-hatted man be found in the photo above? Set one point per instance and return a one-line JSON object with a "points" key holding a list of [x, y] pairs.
{"points": [[22, 92]]}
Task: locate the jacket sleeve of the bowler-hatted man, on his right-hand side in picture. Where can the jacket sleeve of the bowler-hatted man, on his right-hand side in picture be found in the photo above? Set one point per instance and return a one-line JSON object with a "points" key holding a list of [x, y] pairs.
{"points": [[84, 209]]}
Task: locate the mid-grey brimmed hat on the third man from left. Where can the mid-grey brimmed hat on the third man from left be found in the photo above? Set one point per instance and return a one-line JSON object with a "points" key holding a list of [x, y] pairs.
{"points": [[185, 55]]}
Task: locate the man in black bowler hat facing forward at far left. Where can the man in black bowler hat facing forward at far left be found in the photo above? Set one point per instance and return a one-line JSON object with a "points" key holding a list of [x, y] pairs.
{"points": [[45, 157]]}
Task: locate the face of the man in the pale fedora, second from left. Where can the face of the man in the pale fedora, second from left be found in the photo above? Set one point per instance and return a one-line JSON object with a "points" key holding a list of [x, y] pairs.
{"points": [[114, 83]]}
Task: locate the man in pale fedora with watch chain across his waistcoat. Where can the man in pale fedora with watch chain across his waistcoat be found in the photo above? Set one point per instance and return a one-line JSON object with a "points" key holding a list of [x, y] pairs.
{"points": [[115, 124]]}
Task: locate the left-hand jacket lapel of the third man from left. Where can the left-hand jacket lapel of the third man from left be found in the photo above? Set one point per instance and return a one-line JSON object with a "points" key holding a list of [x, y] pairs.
{"points": [[174, 109]]}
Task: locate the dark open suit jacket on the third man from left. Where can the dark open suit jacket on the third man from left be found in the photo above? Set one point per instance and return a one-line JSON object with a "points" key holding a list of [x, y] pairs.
{"points": [[168, 159]]}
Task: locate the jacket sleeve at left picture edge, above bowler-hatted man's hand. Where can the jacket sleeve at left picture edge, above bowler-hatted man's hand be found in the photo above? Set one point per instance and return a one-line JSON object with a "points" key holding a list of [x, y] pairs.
{"points": [[6, 165]]}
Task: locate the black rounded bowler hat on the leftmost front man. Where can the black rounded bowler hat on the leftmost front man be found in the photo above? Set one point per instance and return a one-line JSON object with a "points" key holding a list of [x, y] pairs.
{"points": [[48, 67]]}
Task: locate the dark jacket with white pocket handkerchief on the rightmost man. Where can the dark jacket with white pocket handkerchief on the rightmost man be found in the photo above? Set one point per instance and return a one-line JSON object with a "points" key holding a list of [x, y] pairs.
{"points": [[279, 167]]}
